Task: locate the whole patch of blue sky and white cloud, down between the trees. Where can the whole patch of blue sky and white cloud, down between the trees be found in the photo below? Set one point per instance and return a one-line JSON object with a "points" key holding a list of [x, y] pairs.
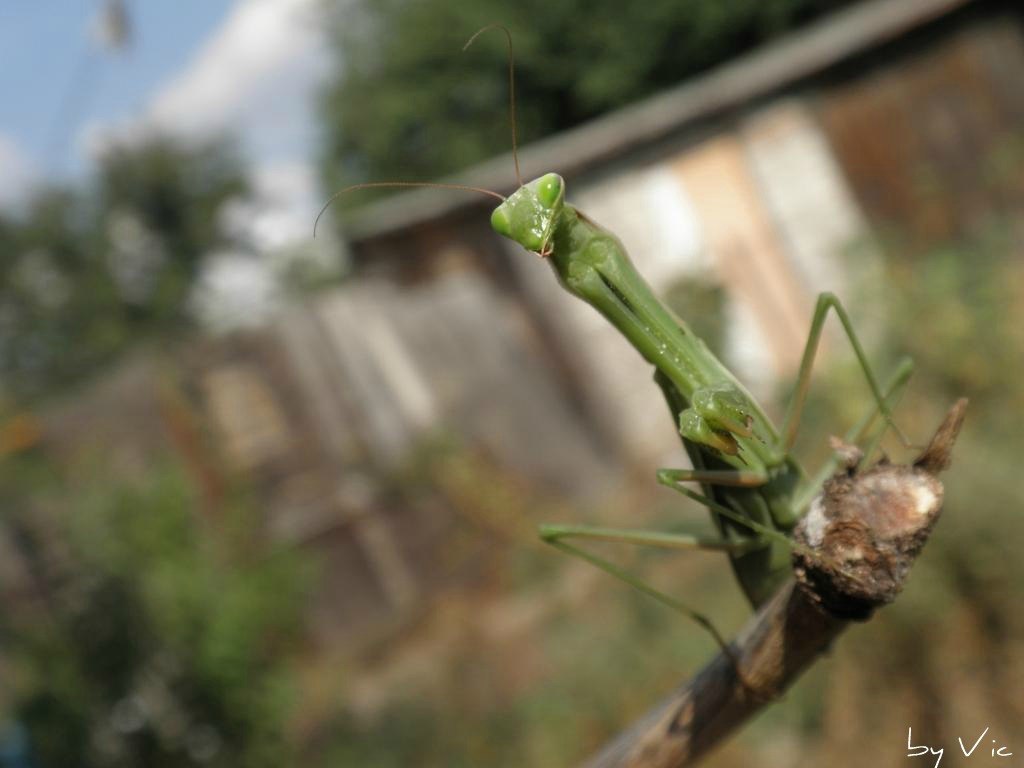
{"points": [[195, 69]]}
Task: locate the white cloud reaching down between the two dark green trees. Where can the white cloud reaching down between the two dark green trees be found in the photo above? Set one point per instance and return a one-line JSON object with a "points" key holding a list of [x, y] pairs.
{"points": [[257, 77]]}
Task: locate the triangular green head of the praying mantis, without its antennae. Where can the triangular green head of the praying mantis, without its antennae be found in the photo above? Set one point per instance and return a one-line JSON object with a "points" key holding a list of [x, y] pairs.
{"points": [[529, 216]]}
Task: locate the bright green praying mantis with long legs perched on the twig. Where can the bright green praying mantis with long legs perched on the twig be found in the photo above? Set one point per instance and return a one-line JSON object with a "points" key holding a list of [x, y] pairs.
{"points": [[754, 488]]}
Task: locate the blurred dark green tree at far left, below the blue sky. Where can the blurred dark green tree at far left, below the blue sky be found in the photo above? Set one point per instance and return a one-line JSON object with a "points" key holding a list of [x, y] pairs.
{"points": [[86, 274]]}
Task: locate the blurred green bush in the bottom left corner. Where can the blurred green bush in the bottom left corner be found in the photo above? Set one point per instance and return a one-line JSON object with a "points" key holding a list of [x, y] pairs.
{"points": [[159, 638]]}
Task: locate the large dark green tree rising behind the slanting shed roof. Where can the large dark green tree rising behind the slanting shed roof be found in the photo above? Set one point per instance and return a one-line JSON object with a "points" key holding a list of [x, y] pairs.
{"points": [[406, 105]]}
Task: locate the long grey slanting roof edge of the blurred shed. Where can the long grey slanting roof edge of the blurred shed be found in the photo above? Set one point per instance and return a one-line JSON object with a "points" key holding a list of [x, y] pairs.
{"points": [[796, 57]]}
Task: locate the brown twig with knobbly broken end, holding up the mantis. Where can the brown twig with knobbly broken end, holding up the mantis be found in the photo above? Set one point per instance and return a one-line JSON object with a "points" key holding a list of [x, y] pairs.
{"points": [[860, 540]]}
